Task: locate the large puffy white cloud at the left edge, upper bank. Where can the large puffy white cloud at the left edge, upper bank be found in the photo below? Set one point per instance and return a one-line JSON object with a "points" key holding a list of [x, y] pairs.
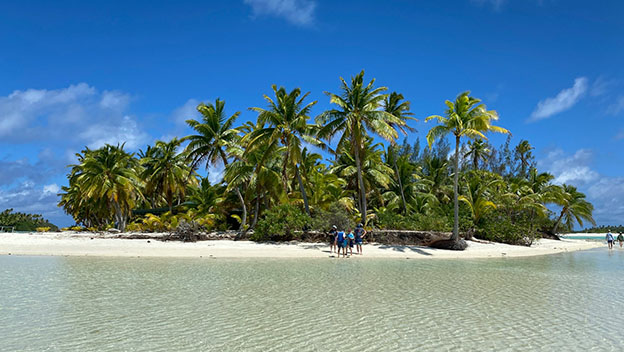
{"points": [[89, 116]]}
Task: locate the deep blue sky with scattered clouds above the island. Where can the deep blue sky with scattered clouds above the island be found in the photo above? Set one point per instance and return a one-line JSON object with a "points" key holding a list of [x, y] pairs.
{"points": [[87, 73]]}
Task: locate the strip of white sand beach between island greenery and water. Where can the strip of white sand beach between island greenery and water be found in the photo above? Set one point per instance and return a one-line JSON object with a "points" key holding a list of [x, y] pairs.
{"points": [[74, 244]]}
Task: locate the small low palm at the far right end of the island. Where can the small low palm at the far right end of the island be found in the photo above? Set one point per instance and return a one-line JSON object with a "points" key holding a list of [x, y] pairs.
{"points": [[574, 208]]}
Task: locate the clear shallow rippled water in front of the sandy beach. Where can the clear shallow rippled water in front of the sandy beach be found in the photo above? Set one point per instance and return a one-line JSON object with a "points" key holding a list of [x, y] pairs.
{"points": [[566, 302]]}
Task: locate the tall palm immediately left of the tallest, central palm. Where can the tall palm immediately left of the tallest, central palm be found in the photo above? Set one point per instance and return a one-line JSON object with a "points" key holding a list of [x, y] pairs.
{"points": [[286, 118]]}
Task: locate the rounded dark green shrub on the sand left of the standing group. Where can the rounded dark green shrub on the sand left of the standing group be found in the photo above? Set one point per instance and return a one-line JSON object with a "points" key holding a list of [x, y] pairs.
{"points": [[281, 224]]}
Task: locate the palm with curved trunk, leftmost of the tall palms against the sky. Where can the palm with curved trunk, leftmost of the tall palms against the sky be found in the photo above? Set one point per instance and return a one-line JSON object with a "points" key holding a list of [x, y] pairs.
{"points": [[214, 136]]}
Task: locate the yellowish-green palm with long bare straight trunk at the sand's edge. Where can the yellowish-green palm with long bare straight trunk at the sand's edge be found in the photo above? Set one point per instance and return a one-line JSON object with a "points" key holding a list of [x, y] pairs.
{"points": [[464, 117]]}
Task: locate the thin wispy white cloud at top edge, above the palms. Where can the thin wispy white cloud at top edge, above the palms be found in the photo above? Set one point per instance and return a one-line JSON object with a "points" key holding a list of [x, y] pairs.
{"points": [[299, 12]]}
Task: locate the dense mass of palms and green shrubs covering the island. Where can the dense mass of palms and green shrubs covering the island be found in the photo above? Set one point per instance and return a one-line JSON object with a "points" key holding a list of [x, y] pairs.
{"points": [[275, 184]]}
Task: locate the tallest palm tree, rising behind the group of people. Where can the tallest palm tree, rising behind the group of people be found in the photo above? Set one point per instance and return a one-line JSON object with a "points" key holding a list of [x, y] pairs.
{"points": [[358, 112]]}
